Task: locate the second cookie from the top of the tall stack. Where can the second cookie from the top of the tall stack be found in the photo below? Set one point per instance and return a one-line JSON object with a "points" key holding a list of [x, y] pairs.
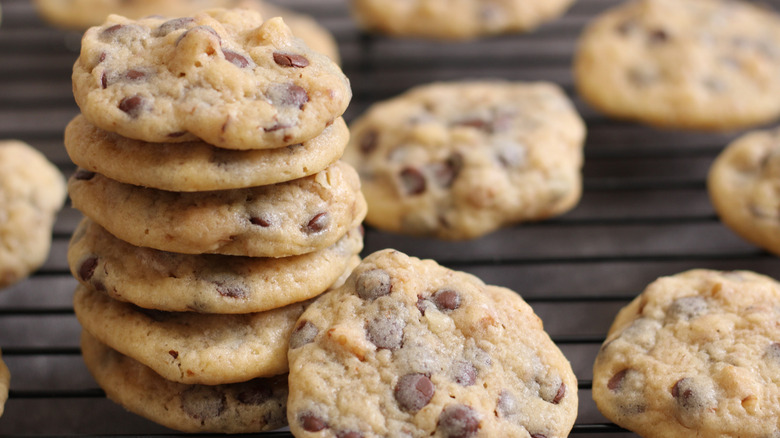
{"points": [[198, 166]]}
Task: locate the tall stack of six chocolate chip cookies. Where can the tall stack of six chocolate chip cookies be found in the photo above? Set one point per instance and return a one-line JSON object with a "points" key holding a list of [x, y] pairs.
{"points": [[215, 207]]}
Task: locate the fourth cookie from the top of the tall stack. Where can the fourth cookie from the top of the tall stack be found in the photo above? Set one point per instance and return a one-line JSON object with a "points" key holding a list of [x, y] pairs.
{"points": [[205, 283]]}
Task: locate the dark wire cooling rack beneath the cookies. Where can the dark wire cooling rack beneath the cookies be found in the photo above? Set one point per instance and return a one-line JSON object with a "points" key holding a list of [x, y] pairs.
{"points": [[644, 212]]}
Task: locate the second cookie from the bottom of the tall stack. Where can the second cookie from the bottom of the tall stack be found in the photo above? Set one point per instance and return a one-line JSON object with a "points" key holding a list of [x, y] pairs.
{"points": [[192, 348]]}
